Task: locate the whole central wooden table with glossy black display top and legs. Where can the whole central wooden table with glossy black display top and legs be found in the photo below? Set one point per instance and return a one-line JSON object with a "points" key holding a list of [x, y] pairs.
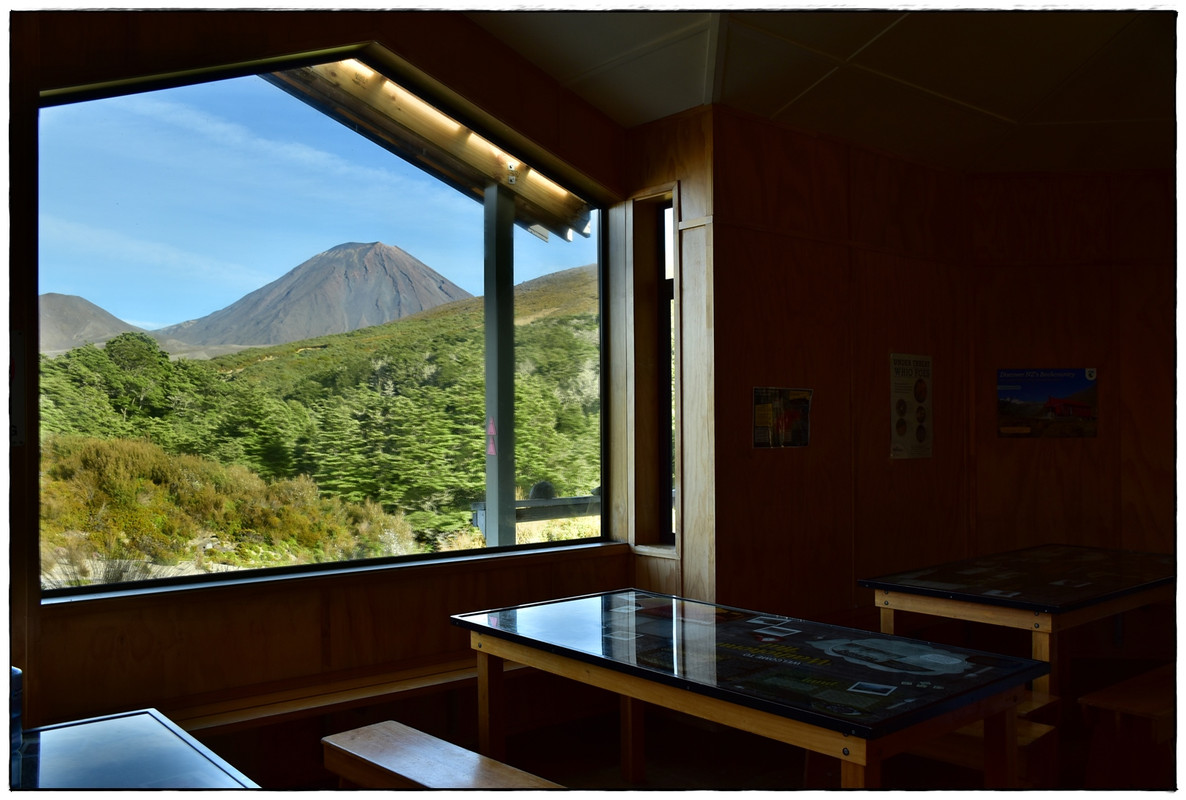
{"points": [[858, 696]]}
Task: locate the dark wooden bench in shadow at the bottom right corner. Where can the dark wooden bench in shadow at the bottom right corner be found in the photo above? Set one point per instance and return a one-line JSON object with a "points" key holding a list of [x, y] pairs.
{"points": [[1132, 733]]}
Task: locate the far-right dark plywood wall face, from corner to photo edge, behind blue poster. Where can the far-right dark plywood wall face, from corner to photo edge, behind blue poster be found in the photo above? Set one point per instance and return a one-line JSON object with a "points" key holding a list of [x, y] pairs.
{"points": [[1077, 272]]}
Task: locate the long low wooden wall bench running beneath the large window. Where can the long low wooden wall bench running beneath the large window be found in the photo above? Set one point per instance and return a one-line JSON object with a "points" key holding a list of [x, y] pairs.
{"points": [[307, 700]]}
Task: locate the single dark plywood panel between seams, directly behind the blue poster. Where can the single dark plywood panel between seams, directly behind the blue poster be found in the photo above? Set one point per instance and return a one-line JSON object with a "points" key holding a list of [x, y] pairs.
{"points": [[1049, 304]]}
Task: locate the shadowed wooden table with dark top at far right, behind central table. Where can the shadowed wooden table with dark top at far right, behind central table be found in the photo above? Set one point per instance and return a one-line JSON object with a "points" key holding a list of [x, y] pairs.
{"points": [[1045, 590]]}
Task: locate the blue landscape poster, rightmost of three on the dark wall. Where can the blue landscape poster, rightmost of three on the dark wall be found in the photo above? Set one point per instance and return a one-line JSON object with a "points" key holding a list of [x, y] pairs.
{"points": [[1047, 404]]}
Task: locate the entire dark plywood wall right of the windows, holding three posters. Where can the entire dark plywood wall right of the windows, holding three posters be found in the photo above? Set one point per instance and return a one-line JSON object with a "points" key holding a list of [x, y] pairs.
{"points": [[826, 260]]}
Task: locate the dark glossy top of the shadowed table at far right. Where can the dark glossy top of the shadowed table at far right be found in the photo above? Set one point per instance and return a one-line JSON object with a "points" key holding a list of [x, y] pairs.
{"points": [[1050, 579]]}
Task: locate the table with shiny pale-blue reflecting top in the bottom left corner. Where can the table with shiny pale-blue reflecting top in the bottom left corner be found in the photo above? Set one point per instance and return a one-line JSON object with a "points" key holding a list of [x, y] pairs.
{"points": [[135, 751]]}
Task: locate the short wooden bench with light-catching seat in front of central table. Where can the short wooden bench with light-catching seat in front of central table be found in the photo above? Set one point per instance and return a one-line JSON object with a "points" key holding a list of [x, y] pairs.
{"points": [[390, 756]]}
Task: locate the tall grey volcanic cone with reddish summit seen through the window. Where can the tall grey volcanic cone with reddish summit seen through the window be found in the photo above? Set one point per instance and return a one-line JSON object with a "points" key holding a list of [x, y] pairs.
{"points": [[345, 289]]}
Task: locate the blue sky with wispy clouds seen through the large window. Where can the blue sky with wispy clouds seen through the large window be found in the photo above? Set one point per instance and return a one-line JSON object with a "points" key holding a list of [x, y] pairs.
{"points": [[165, 207]]}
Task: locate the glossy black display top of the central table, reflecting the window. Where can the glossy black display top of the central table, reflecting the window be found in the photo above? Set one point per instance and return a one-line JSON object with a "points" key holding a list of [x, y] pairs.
{"points": [[845, 680]]}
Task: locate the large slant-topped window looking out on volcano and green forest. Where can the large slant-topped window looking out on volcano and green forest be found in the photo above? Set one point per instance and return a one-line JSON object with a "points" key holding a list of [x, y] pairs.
{"points": [[304, 318]]}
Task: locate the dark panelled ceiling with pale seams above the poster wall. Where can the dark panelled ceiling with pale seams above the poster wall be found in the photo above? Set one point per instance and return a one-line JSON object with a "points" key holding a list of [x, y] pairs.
{"points": [[981, 91]]}
